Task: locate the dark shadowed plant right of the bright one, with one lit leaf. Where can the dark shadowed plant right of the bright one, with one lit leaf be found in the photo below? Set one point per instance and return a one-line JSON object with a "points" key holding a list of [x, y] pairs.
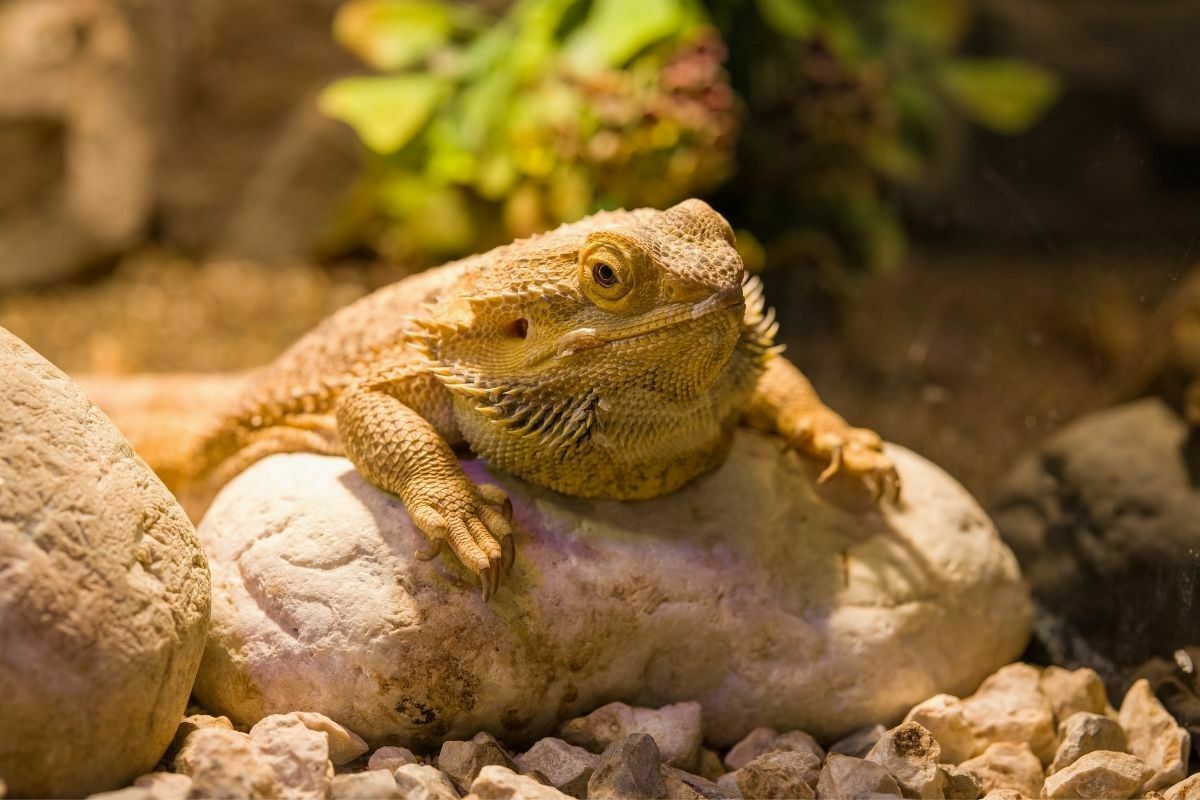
{"points": [[848, 101]]}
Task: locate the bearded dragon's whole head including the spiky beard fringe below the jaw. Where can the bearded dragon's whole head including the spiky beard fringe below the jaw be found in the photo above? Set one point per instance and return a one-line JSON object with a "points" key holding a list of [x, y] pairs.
{"points": [[623, 302]]}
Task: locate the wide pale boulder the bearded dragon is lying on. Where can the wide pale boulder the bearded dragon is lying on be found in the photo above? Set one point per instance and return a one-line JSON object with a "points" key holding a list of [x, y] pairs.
{"points": [[765, 598]]}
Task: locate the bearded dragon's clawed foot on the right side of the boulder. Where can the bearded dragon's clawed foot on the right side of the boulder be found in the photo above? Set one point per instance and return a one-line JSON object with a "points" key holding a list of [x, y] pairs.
{"points": [[854, 452]]}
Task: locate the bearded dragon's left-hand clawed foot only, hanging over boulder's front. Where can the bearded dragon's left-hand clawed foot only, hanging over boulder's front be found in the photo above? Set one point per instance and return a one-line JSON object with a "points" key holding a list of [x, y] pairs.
{"points": [[476, 521]]}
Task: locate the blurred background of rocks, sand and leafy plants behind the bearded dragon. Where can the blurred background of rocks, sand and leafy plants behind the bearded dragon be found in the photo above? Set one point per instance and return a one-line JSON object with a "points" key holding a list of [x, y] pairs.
{"points": [[976, 219]]}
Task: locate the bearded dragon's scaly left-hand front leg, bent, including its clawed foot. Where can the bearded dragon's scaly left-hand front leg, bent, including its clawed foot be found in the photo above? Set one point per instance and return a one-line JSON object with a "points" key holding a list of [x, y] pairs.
{"points": [[401, 452]]}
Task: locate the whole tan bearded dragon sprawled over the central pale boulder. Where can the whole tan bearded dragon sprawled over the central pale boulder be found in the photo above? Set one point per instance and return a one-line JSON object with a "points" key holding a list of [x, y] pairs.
{"points": [[611, 358]]}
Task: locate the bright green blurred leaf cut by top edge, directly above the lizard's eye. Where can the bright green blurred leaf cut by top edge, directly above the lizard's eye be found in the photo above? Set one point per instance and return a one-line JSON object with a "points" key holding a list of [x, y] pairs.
{"points": [[617, 31]]}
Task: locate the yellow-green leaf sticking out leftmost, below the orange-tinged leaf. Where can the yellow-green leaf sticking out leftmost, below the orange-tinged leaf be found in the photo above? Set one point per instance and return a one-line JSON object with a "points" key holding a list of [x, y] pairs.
{"points": [[386, 112]]}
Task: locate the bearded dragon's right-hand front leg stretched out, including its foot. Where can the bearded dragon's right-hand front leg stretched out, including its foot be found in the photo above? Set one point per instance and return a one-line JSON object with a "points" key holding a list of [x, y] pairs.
{"points": [[787, 405]]}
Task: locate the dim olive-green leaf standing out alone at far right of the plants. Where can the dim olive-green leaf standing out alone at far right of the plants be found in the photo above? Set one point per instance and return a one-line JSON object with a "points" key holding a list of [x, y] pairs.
{"points": [[1001, 95]]}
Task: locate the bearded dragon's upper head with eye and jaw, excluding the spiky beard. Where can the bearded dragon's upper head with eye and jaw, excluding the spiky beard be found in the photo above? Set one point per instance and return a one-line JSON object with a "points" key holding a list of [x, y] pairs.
{"points": [[659, 284]]}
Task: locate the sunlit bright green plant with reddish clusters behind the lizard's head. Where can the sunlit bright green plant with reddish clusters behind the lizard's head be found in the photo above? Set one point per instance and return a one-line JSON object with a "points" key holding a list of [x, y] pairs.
{"points": [[481, 129]]}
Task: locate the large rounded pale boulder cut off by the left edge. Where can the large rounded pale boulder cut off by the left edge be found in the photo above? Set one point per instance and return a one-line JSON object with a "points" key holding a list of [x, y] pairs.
{"points": [[104, 593]]}
